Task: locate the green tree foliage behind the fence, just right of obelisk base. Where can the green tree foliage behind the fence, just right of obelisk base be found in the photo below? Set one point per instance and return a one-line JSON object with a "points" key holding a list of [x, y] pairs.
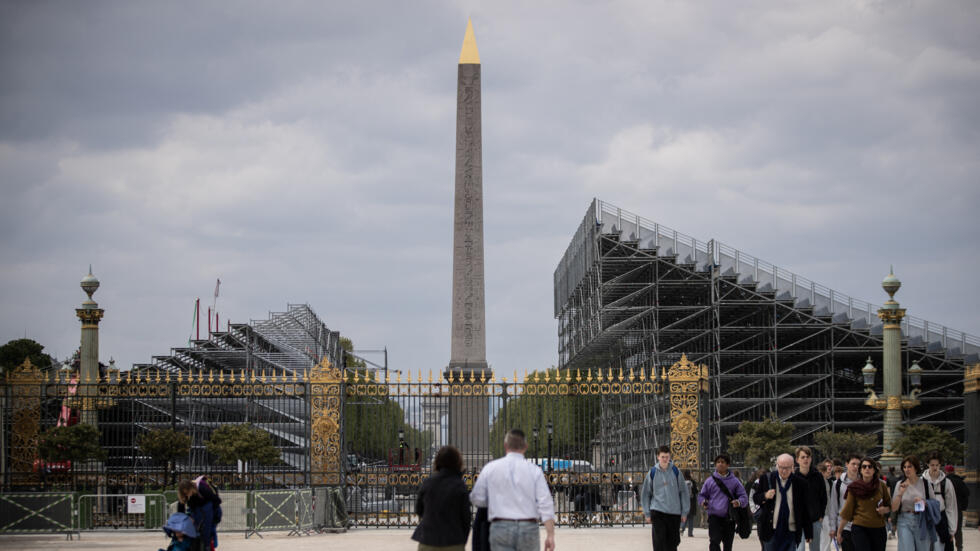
{"points": [[574, 419]]}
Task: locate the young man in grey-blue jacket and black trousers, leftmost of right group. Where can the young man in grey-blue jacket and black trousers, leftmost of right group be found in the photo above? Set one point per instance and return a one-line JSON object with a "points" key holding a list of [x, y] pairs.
{"points": [[665, 500]]}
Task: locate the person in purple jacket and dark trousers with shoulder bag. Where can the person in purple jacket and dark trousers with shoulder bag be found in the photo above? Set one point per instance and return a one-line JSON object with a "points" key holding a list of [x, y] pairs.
{"points": [[719, 493]]}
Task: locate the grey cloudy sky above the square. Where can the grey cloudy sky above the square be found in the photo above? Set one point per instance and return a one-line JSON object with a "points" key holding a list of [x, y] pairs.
{"points": [[303, 153]]}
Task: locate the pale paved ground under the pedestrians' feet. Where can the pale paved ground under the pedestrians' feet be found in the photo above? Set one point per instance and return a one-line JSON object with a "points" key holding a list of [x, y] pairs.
{"points": [[568, 539]]}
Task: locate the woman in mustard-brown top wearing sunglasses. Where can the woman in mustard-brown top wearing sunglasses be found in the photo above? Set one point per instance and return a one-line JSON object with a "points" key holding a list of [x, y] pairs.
{"points": [[867, 501]]}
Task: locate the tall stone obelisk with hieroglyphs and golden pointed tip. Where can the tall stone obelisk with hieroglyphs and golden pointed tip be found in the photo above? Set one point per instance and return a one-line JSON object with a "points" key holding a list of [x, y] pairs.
{"points": [[468, 416]]}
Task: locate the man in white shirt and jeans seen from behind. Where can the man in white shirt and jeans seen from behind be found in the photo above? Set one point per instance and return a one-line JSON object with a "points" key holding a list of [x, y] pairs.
{"points": [[516, 496]]}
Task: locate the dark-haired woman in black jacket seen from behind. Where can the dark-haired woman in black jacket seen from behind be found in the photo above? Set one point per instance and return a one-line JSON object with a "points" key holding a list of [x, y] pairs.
{"points": [[443, 505]]}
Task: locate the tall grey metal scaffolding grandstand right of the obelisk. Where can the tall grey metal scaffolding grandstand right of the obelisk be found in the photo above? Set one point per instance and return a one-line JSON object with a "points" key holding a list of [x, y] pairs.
{"points": [[633, 294]]}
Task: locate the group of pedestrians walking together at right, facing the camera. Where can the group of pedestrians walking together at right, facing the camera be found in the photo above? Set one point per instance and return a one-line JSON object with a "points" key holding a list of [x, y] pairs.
{"points": [[844, 505]]}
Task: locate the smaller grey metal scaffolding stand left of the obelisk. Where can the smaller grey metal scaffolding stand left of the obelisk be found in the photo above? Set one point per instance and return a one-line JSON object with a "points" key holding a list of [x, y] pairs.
{"points": [[283, 346]]}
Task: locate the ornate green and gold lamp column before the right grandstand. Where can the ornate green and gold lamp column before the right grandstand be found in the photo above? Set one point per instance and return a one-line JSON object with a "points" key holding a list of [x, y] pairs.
{"points": [[893, 401]]}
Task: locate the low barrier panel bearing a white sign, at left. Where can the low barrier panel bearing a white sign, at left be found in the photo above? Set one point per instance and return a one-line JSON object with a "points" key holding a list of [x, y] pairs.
{"points": [[122, 511]]}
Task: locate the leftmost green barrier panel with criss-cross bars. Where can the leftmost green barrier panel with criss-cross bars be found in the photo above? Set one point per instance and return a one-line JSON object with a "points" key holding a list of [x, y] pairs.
{"points": [[30, 513]]}
